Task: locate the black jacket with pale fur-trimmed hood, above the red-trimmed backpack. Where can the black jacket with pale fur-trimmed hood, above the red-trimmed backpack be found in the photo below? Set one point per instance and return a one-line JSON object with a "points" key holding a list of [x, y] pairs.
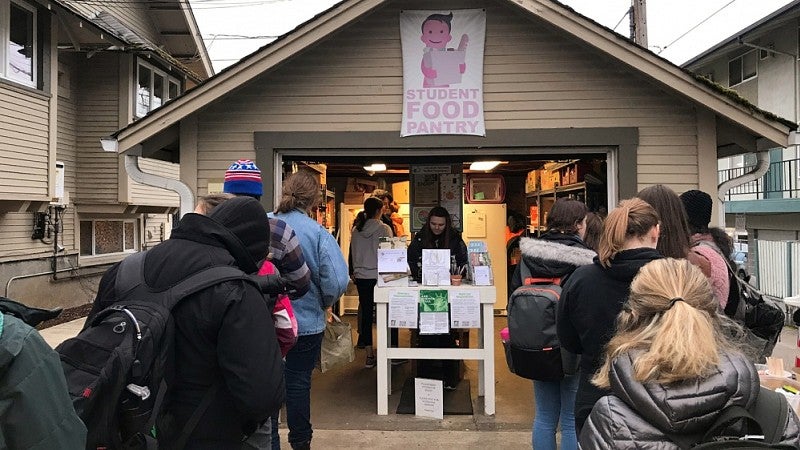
{"points": [[554, 255]]}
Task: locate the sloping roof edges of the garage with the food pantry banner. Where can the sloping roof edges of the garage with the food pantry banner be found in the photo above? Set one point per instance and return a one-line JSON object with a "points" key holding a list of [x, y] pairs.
{"points": [[668, 75]]}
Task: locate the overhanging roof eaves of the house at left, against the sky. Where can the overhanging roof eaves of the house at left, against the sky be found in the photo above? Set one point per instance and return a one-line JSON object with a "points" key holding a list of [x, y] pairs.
{"points": [[180, 41]]}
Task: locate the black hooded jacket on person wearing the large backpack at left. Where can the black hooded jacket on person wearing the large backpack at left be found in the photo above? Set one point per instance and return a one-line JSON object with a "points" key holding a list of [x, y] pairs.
{"points": [[224, 335]]}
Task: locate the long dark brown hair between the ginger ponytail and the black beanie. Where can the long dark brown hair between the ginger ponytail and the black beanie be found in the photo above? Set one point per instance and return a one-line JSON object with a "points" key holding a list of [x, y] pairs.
{"points": [[673, 241]]}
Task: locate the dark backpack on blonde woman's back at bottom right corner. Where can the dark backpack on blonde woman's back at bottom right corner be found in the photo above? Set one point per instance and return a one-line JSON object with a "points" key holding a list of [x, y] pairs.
{"points": [[762, 426]]}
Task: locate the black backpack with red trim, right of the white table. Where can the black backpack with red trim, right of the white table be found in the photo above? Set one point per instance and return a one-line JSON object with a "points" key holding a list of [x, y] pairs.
{"points": [[533, 350]]}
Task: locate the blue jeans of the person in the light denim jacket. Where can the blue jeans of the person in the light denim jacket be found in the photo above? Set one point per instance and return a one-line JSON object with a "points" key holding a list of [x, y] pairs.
{"points": [[300, 363]]}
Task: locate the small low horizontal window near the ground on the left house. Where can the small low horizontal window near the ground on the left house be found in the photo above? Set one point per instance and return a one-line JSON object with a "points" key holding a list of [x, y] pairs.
{"points": [[101, 237]]}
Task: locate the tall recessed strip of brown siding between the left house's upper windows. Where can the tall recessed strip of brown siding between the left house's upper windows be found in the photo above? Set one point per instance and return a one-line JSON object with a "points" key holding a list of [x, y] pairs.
{"points": [[98, 100]]}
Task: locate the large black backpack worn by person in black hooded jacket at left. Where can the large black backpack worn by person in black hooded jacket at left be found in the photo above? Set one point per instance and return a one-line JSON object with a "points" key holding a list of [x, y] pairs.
{"points": [[119, 366]]}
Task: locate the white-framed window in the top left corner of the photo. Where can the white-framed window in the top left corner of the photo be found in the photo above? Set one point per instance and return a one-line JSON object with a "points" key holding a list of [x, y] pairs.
{"points": [[18, 46]]}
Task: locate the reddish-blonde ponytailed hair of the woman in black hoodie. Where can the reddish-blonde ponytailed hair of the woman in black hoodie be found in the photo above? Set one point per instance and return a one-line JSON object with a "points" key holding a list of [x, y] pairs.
{"points": [[633, 218]]}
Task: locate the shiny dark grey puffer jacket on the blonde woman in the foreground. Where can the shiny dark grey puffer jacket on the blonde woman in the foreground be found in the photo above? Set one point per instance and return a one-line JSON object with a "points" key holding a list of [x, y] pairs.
{"points": [[636, 415]]}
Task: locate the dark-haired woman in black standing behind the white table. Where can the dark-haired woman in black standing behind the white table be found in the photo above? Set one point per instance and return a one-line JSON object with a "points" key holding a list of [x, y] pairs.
{"points": [[437, 233]]}
